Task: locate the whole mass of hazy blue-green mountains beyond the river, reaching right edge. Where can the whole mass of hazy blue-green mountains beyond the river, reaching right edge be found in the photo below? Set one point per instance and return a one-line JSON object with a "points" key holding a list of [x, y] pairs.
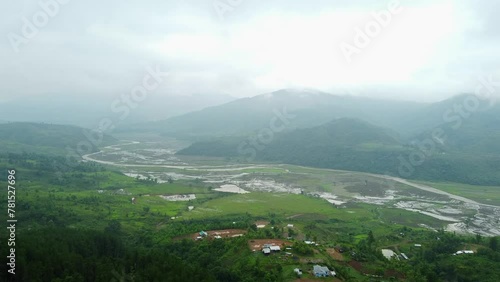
{"points": [[457, 139]]}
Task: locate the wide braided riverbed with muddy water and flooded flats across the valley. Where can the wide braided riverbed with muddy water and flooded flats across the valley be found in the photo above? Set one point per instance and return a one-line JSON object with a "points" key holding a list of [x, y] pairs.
{"points": [[158, 161]]}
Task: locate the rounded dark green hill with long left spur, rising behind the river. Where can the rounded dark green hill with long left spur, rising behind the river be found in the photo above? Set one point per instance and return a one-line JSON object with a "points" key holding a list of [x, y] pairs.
{"points": [[342, 143]]}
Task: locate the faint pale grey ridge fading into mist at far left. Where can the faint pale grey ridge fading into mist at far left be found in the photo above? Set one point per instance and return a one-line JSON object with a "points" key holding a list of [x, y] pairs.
{"points": [[87, 110]]}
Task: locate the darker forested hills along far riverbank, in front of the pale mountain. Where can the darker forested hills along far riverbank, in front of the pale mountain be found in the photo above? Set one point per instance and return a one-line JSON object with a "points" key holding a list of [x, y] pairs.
{"points": [[357, 146]]}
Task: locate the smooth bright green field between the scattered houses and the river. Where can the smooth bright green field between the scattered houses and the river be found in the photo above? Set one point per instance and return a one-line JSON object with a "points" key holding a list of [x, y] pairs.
{"points": [[311, 209]]}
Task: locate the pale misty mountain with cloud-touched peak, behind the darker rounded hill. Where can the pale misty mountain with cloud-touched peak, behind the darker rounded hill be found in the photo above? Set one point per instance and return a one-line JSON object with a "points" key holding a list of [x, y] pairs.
{"points": [[309, 108]]}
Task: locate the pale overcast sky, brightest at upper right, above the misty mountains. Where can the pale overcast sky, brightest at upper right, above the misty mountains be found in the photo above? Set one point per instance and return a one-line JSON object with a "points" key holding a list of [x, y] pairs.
{"points": [[428, 50]]}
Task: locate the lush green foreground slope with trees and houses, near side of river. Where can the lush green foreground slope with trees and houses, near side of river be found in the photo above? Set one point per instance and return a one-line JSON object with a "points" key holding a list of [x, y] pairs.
{"points": [[92, 230]]}
